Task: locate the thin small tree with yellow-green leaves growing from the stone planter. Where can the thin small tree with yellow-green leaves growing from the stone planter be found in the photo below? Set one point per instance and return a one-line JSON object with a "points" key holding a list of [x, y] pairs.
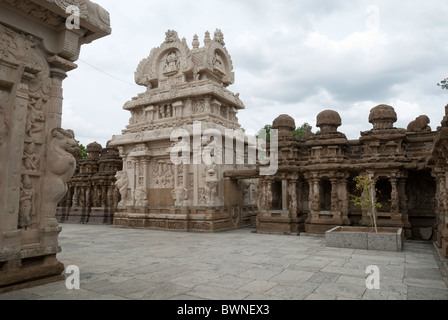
{"points": [[367, 200]]}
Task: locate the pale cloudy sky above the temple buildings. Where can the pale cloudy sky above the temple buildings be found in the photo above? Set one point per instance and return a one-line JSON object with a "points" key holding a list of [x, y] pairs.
{"points": [[298, 57]]}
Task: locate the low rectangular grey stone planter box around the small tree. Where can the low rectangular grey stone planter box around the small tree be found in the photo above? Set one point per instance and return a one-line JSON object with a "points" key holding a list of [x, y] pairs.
{"points": [[387, 239]]}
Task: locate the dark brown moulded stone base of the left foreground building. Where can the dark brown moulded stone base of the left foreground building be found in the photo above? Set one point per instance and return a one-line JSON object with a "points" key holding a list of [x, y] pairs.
{"points": [[23, 270]]}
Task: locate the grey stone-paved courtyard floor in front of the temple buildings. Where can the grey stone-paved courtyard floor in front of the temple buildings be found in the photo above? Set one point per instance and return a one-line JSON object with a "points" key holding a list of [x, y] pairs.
{"points": [[235, 265]]}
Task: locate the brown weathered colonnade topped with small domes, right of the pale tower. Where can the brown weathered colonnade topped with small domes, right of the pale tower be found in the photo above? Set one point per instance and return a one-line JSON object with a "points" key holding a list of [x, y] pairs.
{"points": [[312, 188]]}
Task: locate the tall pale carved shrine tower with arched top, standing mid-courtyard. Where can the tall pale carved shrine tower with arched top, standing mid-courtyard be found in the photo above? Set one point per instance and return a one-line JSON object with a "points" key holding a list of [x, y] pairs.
{"points": [[185, 89]]}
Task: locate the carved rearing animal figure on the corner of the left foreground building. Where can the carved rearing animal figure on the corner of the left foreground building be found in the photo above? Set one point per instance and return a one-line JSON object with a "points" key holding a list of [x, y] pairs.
{"points": [[61, 166]]}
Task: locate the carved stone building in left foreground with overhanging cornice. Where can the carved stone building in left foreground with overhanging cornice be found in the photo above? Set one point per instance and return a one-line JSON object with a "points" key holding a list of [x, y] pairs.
{"points": [[36, 52]]}
